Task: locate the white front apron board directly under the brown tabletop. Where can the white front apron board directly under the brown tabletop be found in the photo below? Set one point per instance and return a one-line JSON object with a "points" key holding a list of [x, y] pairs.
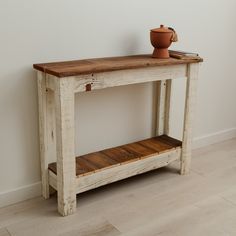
{"points": [[127, 77]]}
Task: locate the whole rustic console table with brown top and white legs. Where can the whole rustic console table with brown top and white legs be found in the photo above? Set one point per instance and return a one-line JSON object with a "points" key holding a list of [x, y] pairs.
{"points": [[57, 84]]}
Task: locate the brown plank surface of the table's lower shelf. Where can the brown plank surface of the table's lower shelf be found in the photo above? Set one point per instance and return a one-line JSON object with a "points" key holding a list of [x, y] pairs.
{"points": [[98, 161]]}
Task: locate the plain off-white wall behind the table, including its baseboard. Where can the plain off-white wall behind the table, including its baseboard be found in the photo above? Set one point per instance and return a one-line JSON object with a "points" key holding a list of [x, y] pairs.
{"points": [[35, 31]]}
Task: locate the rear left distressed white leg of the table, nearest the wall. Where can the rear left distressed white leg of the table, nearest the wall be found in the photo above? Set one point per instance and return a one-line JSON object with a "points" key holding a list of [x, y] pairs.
{"points": [[46, 130]]}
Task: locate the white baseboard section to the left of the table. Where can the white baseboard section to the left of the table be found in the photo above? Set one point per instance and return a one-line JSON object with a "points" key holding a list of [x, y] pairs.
{"points": [[20, 194]]}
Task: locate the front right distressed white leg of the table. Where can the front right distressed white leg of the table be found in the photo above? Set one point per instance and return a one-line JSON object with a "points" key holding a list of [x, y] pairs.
{"points": [[190, 100]]}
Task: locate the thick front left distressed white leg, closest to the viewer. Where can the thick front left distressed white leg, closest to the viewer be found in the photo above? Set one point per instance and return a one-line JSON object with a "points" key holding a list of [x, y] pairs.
{"points": [[66, 174]]}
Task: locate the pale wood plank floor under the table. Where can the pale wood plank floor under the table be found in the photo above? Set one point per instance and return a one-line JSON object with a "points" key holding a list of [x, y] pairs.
{"points": [[157, 203]]}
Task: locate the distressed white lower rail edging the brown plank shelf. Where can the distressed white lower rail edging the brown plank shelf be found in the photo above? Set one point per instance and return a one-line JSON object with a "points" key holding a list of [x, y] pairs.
{"points": [[122, 171]]}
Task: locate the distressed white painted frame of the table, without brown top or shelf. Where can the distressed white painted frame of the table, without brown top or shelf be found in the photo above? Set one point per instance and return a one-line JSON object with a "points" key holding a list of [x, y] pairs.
{"points": [[56, 119]]}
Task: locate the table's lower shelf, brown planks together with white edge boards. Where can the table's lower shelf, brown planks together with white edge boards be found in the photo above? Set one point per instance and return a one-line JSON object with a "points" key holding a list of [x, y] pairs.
{"points": [[113, 164]]}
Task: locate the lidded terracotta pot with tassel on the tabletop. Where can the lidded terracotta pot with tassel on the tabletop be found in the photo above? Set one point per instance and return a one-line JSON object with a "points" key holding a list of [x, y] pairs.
{"points": [[161, 39]]}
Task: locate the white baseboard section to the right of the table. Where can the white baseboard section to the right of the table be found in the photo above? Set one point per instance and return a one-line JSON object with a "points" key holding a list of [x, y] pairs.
{"points": [[216, 137]]}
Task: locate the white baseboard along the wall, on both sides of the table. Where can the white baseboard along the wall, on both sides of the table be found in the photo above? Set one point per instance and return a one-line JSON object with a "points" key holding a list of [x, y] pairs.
{"points": [[34, 190]]}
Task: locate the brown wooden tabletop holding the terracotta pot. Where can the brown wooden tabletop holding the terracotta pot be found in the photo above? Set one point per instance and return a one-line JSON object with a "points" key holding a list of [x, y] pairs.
{"points": [[88, 66]]}
